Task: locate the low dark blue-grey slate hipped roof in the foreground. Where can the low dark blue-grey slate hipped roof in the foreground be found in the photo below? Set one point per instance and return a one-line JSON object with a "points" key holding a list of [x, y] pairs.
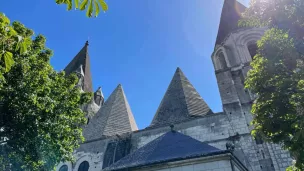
{"points": [[171, 146]]}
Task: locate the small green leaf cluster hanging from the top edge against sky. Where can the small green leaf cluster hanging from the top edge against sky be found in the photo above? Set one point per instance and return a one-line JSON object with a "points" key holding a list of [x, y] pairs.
{"points": [[93, 7]]}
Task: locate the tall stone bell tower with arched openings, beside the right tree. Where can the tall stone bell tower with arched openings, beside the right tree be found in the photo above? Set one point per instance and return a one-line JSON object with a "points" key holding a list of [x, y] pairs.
{"points": [[233, 52]]}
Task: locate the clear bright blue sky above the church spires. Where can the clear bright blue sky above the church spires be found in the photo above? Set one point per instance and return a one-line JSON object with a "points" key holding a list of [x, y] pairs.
{"points": [[136, 43]]}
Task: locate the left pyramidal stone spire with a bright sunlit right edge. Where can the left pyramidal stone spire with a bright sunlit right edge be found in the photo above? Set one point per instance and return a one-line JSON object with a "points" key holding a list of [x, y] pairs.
{"points": [[114, 117]]}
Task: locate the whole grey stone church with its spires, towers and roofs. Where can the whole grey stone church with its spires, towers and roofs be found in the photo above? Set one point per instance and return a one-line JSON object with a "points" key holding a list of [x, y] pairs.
{"points": [[184, 135]]}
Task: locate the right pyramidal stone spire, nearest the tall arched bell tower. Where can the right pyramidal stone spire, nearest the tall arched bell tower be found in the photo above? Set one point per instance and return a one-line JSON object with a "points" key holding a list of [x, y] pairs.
{"points": [[181, 102]]}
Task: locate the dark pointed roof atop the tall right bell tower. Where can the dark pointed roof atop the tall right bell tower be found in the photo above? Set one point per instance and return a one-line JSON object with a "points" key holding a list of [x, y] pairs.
{"points": [[231, 13]]}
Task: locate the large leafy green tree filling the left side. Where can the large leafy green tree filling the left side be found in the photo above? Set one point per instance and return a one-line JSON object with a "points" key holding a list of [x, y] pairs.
{"points": [[40, 115]]}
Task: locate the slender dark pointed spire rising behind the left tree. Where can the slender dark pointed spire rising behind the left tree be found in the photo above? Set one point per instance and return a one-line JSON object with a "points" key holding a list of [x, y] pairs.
{"points": [[82, 58]]}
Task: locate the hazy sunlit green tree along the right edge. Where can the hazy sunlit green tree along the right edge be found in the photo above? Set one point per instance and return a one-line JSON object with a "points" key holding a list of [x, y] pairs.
{"points": [[277, 75]]}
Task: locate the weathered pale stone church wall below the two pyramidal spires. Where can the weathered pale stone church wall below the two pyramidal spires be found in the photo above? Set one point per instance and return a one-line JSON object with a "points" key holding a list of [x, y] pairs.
{"points": [[214, 129]]}
